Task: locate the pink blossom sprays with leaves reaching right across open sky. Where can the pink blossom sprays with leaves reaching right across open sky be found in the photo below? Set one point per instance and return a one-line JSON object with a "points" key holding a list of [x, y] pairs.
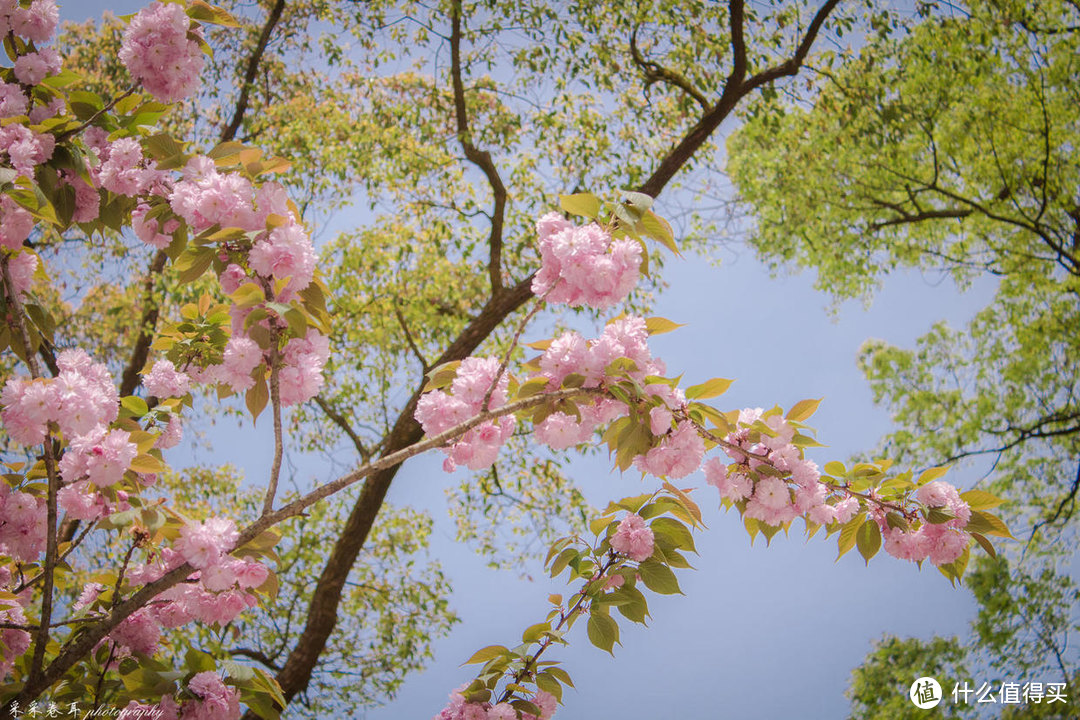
{"points": [[650, 424]]}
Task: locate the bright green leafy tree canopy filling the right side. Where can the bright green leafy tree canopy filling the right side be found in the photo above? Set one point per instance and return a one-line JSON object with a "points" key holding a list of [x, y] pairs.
{"points": [[950, 144]]}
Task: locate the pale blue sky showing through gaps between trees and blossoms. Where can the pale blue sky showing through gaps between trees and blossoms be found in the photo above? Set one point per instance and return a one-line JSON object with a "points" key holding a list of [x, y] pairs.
{"points": [[762, 633]]}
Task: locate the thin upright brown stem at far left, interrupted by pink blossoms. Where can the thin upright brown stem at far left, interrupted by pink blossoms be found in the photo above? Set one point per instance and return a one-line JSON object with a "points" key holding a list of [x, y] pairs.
{"points": [[16, 304]]}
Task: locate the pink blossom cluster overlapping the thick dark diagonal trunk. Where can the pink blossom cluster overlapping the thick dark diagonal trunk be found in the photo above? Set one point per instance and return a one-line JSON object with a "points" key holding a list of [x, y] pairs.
{"points": [[440, 411]]}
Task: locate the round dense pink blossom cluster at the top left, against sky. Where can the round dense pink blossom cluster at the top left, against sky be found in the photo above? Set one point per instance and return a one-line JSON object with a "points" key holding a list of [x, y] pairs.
{"points": [[159, 52]]}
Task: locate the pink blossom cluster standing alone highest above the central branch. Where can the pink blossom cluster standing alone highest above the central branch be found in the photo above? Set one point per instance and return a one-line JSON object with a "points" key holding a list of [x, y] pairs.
{"points": [[584, 265]]}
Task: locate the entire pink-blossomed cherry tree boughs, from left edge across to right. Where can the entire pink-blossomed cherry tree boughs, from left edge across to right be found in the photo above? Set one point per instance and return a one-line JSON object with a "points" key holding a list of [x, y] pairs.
{"points": [[71, 160]]}
